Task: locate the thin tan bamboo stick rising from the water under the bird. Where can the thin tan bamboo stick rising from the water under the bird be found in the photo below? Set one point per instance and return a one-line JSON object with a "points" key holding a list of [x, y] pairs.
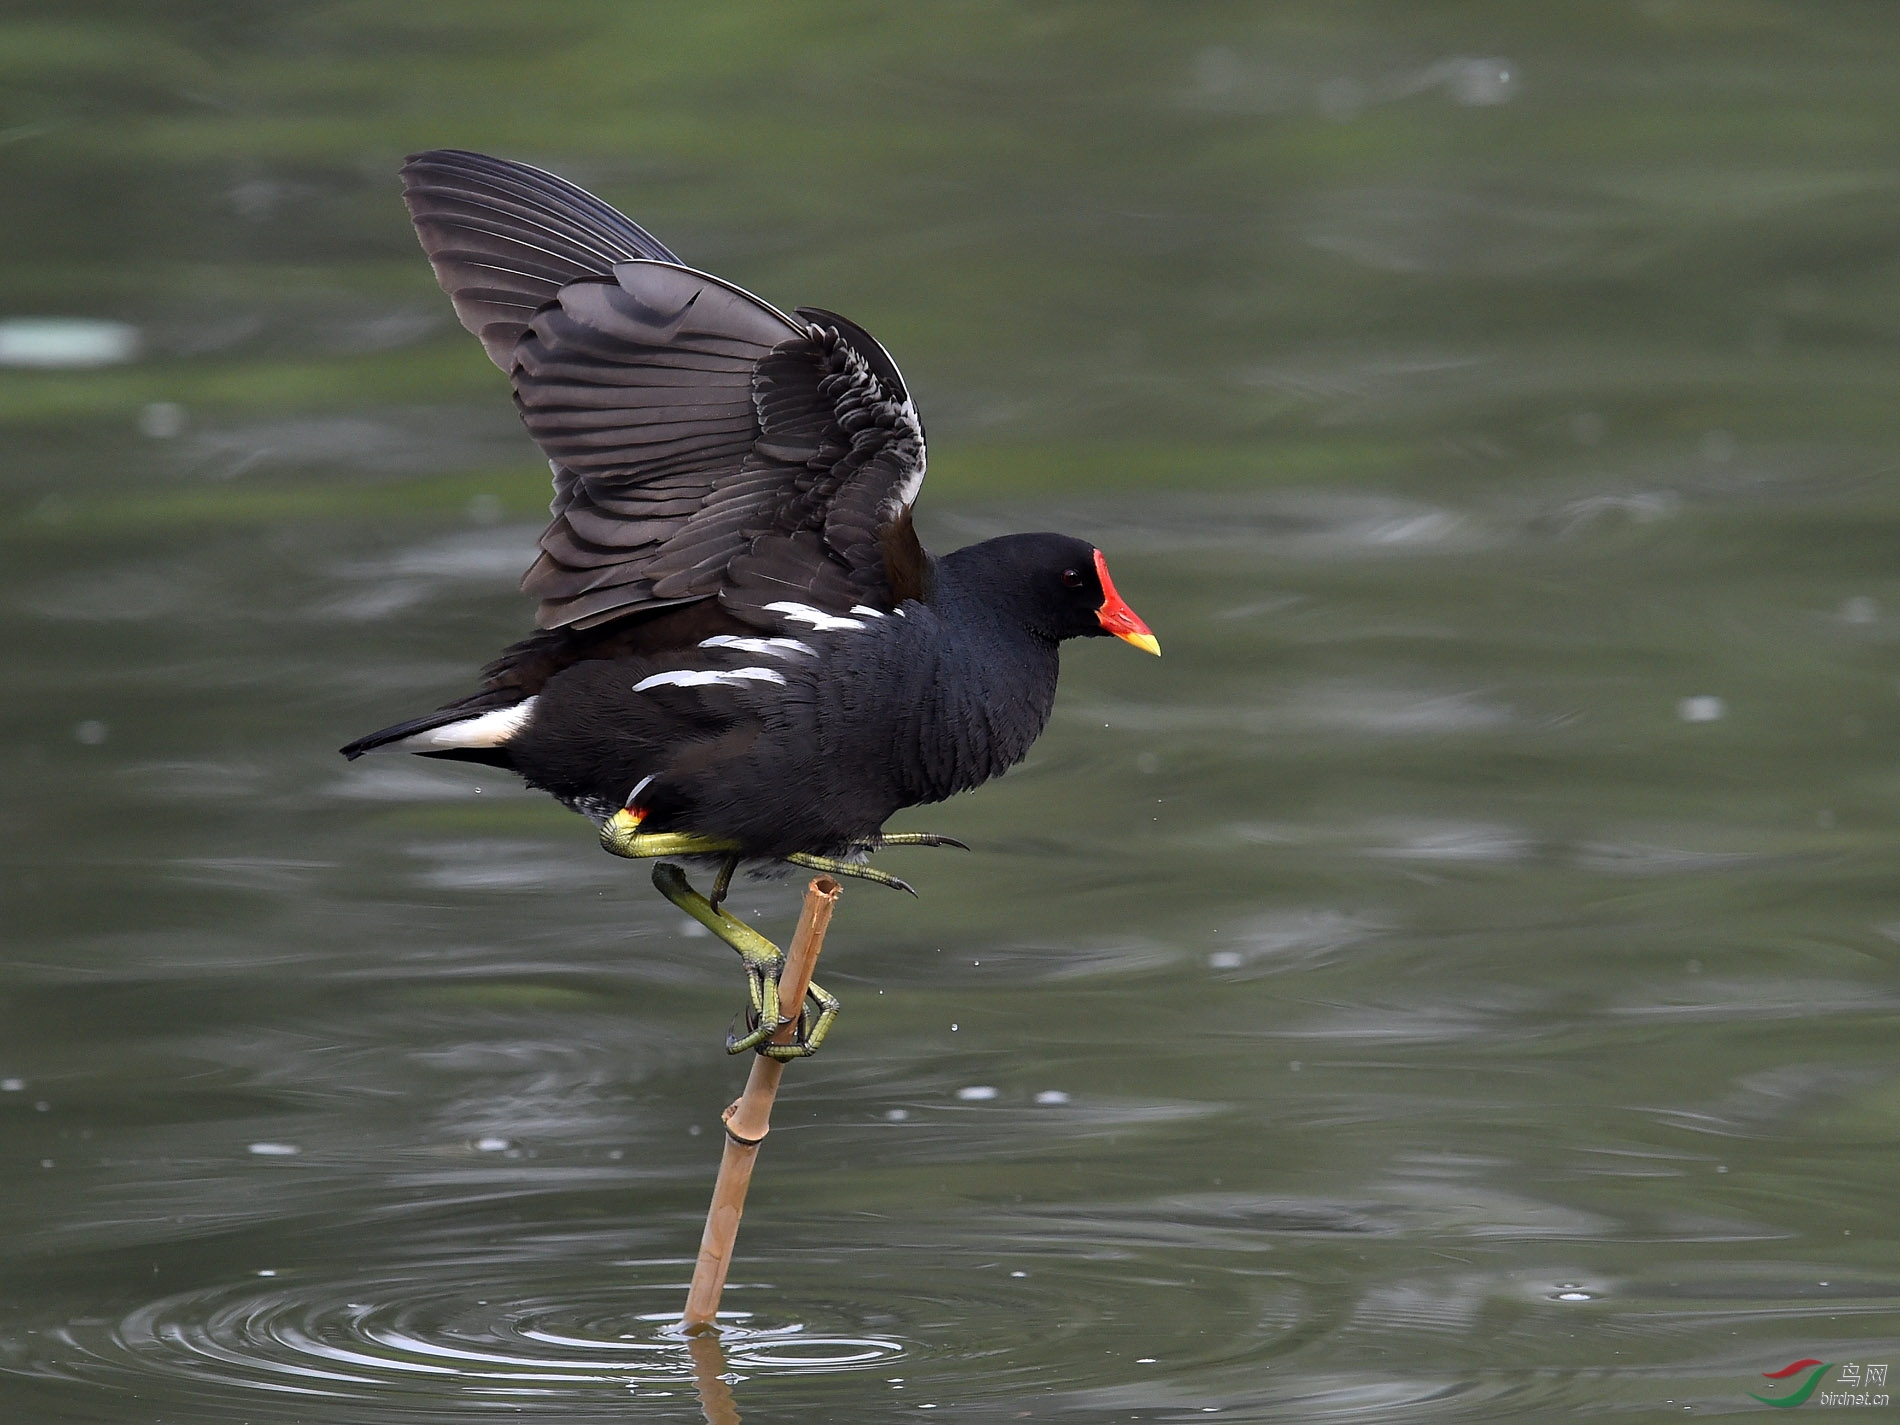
{"points": [[750, 1118]]}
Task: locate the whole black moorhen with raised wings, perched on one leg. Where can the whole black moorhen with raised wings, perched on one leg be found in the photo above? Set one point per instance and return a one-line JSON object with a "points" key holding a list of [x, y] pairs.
{"points": [[744, 651]]}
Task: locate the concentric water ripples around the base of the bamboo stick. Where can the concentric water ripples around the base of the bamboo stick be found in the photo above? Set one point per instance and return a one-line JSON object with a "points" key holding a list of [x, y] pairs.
{"points": [[438, 1340]]}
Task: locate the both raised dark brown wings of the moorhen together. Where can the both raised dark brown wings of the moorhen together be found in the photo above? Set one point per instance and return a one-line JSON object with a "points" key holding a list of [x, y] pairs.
{"points": [[702, 442]]}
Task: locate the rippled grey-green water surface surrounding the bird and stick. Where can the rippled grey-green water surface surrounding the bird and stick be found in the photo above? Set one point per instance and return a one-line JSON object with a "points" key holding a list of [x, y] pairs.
{"points": [[1458, 983]]}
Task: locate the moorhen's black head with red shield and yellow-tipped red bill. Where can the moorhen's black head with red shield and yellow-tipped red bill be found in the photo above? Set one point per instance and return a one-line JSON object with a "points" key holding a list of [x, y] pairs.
{"points": [[1055, 586]]}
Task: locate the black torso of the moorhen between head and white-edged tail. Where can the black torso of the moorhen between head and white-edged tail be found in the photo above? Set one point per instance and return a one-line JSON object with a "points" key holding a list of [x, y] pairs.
{"points": [[903, 710]]}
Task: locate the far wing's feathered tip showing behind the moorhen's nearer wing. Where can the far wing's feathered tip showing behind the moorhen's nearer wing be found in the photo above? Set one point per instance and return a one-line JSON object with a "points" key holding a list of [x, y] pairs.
{"points": [[504, 238]]}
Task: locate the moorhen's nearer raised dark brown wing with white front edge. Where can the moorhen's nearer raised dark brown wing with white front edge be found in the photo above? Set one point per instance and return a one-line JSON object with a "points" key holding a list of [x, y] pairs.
{"points": [[704, 444]]}
